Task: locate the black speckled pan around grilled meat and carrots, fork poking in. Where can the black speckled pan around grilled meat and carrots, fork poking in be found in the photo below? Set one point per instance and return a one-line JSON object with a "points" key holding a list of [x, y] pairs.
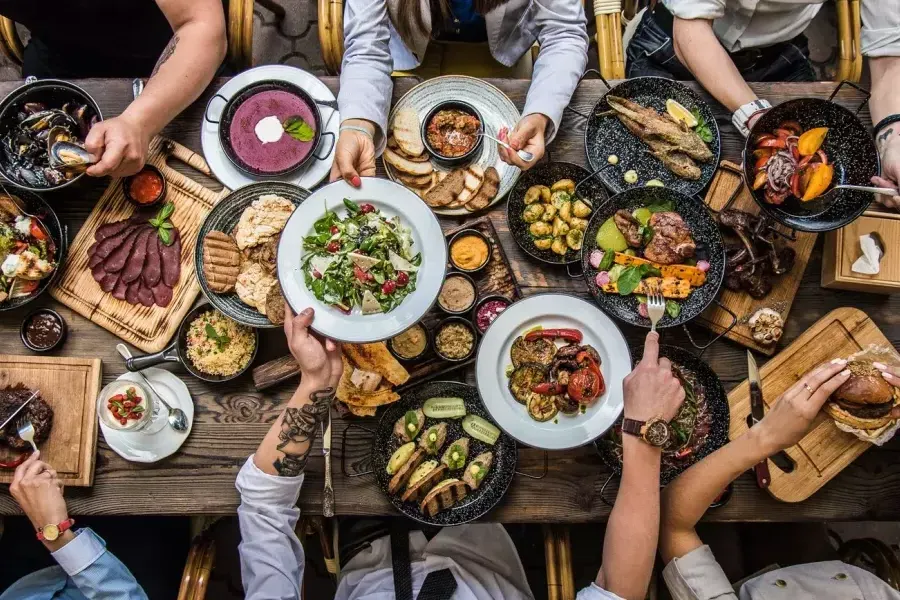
{"points": [[709, 247]]}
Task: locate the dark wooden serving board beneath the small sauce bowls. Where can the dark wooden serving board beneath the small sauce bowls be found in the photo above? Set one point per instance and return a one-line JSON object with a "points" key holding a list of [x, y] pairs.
{"points": [[495, 279]]}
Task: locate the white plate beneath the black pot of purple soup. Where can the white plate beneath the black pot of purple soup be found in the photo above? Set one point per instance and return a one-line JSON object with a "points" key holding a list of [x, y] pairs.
{"points": [[308, 177]]}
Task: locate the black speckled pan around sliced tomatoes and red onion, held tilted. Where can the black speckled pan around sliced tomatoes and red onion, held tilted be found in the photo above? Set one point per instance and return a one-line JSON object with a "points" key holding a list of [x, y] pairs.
{"points": [[848, 145]]}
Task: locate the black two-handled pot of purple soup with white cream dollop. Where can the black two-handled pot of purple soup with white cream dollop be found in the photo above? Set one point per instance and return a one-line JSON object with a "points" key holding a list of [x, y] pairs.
{"points": [[270, 128]]}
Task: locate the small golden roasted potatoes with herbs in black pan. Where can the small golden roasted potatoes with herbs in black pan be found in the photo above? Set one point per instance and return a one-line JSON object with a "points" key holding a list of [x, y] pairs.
{"points": [[557, 217]]}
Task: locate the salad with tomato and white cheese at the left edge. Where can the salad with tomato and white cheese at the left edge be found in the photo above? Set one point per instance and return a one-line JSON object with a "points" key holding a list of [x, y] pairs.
{"points": [[27, 251]]}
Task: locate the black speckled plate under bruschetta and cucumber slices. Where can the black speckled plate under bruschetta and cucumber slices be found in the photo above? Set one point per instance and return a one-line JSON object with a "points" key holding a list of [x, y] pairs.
{"points": [[492, 489]]}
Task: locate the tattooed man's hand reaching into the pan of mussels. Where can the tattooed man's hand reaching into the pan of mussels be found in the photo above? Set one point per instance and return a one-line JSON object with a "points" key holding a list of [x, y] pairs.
{"points": [[120, 145]]}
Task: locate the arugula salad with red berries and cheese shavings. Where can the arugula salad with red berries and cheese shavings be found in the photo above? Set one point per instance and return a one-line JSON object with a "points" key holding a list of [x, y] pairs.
{"points": [[363, 259]]}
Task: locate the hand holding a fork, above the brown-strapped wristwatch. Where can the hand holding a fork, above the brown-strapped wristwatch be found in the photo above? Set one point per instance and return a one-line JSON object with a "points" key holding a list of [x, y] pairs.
{"points": [[652, 390]]}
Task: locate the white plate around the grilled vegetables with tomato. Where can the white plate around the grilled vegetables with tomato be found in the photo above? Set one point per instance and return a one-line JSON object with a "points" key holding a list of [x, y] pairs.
{"points": [[552, 311]]}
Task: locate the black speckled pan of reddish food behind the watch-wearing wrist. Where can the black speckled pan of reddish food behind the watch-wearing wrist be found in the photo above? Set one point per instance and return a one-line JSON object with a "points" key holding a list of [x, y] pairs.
{"points": [[700, 428]]}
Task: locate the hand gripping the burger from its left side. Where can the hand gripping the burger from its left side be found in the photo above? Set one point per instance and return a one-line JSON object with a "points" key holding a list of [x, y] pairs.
{"points": [[793, 413]]}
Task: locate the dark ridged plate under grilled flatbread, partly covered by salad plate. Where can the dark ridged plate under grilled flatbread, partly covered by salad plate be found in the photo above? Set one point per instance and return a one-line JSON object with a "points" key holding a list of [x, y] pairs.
{"points": [[224, 217]]}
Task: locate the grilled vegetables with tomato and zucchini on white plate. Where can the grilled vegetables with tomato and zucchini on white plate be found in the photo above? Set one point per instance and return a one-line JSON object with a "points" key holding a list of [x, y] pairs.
{"points": [[548, 379]]}
